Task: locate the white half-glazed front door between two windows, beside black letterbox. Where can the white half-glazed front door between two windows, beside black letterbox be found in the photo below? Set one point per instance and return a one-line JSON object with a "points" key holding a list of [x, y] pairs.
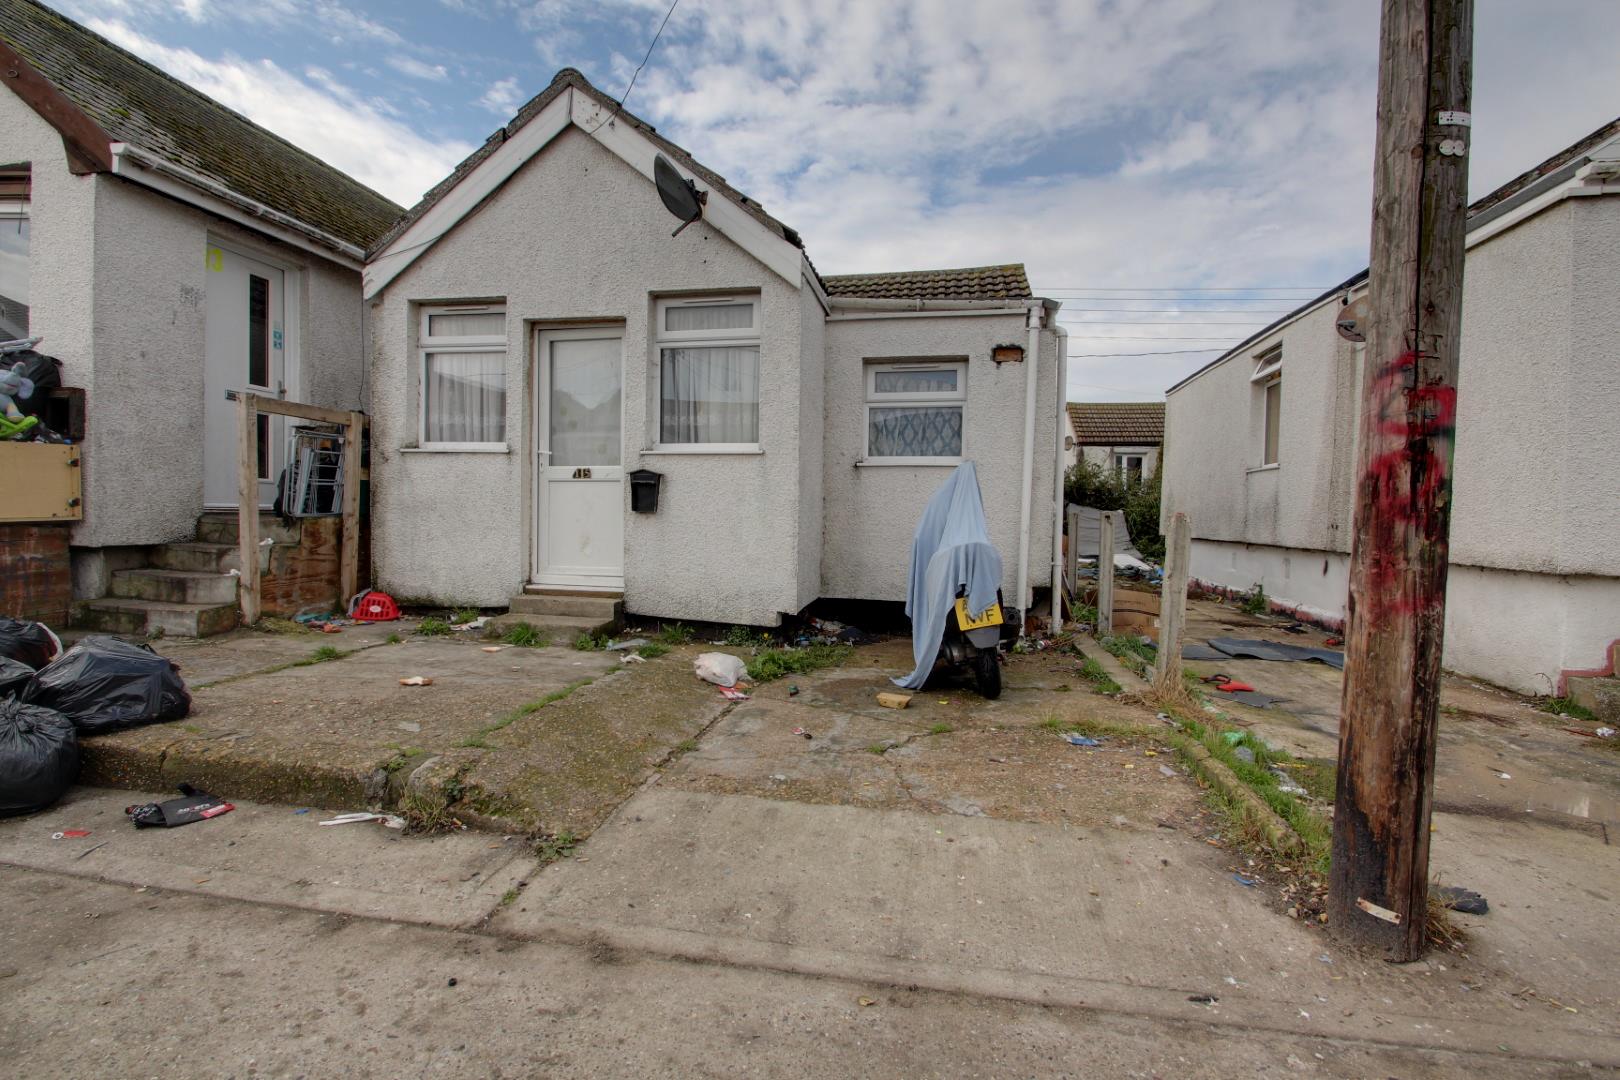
{"points": [[579, 493]]}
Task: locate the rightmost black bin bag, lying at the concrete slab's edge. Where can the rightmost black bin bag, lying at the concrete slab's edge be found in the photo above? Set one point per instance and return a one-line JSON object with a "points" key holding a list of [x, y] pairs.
{"points": [[104, 684]]}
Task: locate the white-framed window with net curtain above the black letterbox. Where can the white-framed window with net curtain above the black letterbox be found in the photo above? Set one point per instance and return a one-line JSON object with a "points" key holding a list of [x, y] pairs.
{"points": [[709, 373]]}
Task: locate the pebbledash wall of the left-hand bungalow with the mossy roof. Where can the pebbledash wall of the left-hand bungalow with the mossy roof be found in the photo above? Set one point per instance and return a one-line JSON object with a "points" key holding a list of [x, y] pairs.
{"points": [[117, 279]]}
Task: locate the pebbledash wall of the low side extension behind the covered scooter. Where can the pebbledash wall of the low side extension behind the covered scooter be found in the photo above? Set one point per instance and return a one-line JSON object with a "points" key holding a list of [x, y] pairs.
{"points": [[872, 511]]}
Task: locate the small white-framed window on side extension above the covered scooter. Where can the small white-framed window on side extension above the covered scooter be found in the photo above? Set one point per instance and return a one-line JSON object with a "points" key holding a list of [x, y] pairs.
{"points": [[914, 412]]}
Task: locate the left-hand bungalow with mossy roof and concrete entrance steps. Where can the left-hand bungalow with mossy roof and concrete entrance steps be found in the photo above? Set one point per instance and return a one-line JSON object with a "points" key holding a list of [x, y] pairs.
{"points": [[173, 255]]}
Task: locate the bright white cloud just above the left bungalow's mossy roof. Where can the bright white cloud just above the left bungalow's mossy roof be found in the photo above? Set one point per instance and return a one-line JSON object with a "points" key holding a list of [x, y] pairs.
{"points": [[317, 113]]}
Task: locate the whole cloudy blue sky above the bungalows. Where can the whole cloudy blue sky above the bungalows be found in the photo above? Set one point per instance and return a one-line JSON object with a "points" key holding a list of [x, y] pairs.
{"points": [[1179, 172]]}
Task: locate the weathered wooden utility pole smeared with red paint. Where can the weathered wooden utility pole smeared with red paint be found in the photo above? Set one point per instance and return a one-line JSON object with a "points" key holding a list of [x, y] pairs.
{"points": [[1379, 880]]}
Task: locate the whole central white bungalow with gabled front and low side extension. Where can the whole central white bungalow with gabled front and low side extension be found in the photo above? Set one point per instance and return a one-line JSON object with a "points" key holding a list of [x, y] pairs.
{"points": [[545, 357]]}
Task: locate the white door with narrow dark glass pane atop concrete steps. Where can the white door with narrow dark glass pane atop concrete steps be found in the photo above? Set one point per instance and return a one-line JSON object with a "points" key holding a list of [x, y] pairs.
{"points": [[245, 321]]}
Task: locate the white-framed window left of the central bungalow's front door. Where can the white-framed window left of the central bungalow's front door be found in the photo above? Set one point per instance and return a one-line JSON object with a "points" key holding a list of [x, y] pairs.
{"points": [[463, 376]]}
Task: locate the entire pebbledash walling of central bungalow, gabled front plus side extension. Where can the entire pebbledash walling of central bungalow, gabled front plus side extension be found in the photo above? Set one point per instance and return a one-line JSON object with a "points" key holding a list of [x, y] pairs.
{"points": [[579, 236]]}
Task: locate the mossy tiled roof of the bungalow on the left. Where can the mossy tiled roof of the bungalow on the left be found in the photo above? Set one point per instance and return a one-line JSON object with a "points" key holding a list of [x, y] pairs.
{"points": [[132, 101]]}
